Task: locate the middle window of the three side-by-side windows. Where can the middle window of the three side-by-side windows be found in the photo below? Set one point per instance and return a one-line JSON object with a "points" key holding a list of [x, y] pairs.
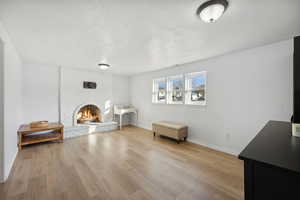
{"points": [[175, 89]]}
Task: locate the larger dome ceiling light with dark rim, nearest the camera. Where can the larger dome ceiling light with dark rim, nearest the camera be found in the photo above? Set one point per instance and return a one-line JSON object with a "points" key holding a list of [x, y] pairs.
{"points": [[212, 10]]}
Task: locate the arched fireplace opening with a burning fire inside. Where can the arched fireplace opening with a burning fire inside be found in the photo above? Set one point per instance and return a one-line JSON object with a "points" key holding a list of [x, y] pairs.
{"points": [[88, 114]]}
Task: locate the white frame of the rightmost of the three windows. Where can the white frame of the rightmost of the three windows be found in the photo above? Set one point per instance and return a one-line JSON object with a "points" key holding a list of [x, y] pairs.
{"points": [[188, 88]]}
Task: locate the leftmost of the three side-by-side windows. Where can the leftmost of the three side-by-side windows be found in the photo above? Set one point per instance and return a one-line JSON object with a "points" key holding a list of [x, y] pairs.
{"points": [[159, 93]]}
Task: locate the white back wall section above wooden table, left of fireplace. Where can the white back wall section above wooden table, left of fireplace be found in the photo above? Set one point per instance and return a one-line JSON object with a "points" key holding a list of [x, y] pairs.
{"points": [[40, 93]]}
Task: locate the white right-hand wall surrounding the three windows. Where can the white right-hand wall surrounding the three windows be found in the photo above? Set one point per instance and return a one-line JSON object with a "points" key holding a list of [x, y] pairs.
{"points": [[244, 90]]}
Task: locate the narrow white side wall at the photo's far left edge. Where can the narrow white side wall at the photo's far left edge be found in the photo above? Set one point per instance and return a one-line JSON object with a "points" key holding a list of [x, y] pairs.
{"points": [[12, 101]]}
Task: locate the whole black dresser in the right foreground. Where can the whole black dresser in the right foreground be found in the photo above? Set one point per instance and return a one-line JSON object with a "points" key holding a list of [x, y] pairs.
{"points": [[272, 164]]}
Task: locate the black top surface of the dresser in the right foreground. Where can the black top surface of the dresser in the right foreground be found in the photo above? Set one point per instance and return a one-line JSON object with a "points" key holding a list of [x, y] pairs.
{"points": [[275, 145]]}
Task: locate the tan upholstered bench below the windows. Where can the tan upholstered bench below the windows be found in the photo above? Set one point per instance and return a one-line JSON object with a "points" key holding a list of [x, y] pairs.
{"points": [[170, 129]]}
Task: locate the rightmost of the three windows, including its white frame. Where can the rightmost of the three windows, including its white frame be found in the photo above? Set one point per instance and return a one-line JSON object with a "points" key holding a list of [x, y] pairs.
{"points": [[195, 88]]}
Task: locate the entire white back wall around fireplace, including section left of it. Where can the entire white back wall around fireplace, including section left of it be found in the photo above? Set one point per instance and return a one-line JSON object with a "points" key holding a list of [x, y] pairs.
{"points": [[41, 92]]}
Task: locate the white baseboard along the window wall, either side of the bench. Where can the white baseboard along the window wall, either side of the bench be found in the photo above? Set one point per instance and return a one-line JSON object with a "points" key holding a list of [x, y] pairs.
{"points": [[211, 146]]}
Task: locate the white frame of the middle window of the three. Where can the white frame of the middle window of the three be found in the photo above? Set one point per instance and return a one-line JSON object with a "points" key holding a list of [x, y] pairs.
{"points": [[170, 89]]}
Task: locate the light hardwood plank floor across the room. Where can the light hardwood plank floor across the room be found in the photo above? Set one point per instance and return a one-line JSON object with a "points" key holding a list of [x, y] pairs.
{"points": [[123, 165]]}
